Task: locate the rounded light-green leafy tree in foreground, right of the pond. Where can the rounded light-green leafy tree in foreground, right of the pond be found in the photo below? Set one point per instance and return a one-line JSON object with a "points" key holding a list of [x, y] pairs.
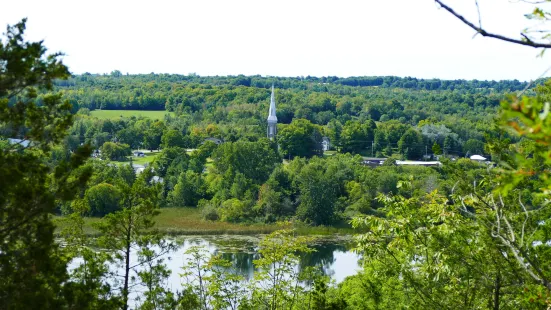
{"points": [[428, 254]]}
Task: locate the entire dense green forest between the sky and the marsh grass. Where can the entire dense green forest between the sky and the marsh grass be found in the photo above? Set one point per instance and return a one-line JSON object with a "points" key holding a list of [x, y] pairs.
{"points": [[248, 178]]}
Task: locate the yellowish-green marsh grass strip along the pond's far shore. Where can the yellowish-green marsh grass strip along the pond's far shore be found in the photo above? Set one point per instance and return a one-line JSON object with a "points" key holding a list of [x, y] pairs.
{"points": [[188, 221]]}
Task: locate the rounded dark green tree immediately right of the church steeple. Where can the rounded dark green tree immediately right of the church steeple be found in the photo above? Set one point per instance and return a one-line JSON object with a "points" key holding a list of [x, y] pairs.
{"points": [[300, 138]]}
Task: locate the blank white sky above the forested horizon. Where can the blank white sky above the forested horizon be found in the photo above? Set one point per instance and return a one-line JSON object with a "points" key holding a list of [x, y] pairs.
{"points": [[283, 38]]}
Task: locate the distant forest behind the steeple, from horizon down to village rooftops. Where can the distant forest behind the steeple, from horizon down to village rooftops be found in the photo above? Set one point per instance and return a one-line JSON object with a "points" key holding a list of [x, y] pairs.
{"points": [[360, 119]]}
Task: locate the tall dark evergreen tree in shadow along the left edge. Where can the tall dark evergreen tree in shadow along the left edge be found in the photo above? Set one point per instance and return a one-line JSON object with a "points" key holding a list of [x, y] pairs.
{"points": [[32, 267]]}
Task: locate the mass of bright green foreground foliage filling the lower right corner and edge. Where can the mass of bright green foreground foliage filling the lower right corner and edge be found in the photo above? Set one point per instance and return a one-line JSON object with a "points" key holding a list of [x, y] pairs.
{"points": [[489, 234]]}
